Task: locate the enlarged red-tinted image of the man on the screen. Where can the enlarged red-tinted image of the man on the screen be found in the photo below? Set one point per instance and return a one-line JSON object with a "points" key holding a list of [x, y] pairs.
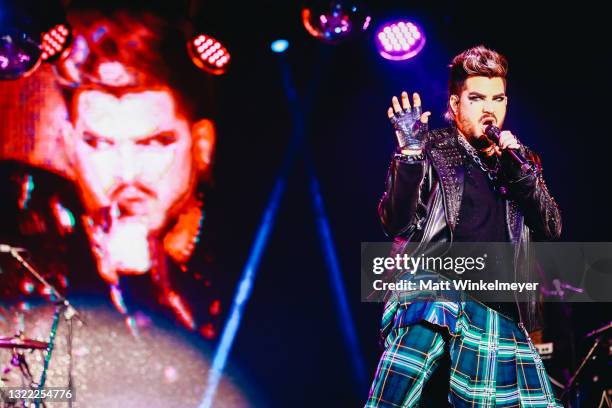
{"points": [[139, 155]]}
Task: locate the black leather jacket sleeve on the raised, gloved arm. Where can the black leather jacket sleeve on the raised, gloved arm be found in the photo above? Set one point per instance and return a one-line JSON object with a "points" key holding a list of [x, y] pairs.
{"points": [[405, 193]]}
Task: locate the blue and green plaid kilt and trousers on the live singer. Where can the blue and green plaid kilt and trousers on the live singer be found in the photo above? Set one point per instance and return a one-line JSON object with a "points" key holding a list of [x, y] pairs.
{"points": [[493, 363]]}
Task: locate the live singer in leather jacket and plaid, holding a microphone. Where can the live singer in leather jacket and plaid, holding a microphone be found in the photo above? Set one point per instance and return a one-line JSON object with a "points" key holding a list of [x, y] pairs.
{"points": [[454, 185]]}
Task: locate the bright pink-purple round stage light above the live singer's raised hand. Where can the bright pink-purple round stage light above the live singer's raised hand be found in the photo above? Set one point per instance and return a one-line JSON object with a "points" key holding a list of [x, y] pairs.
{"points": [[399, 41]]}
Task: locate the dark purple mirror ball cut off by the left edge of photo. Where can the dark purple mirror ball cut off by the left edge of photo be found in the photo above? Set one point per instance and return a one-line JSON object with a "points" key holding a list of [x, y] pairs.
{"points": [[19, 54]]}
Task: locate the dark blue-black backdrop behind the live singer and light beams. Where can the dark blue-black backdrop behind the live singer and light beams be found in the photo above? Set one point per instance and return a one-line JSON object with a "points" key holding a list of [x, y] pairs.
{"points": [[290, 345]]}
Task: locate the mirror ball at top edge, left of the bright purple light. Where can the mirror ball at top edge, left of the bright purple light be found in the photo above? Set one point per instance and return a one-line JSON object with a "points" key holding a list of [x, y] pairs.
{"points": [[334, 22]]}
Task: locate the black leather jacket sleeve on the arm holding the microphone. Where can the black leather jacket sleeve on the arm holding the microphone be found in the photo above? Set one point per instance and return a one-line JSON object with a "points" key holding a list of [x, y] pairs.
{"points": [[529, 190]]}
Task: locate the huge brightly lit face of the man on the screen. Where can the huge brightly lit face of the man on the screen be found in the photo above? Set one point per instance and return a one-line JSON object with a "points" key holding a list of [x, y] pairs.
{"points": [[132, 154]]}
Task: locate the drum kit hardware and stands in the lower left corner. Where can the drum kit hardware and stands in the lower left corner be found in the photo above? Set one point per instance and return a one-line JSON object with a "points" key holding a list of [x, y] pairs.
{"points": [[19, 345]]}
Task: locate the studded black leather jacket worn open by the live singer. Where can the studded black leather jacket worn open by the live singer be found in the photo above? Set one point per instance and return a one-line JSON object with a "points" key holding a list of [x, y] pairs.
{"points": [[423, 197]]}
